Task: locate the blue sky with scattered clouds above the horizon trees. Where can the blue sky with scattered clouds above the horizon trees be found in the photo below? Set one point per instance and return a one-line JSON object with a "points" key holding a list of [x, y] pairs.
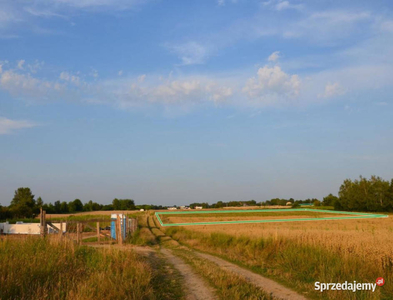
{"points": [[174, 102]]}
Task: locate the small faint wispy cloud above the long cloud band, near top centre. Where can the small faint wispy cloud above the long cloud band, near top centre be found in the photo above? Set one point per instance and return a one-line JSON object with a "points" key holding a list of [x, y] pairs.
{"points": [[190, 53]]}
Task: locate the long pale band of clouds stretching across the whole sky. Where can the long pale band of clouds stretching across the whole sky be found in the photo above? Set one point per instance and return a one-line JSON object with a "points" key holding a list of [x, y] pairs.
{"points": [[270, 86]]}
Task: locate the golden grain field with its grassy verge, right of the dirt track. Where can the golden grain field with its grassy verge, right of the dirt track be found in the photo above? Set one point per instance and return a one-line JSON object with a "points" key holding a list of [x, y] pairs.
{"points": [[300, 253]]}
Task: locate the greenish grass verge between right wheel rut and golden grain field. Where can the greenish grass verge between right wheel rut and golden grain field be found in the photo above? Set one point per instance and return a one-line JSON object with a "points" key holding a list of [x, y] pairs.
{"points": [[295, 264]]}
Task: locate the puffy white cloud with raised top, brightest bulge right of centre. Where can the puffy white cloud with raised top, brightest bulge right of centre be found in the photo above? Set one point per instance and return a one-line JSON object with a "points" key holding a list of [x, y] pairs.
{"points": [[272, 85]]}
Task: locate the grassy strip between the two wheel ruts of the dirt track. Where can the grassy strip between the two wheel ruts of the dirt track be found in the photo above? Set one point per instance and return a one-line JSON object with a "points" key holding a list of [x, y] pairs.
{"points": [[228, 285]]}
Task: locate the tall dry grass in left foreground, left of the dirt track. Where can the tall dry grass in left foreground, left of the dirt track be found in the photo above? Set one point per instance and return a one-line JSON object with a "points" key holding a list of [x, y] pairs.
{"points": [[35, 268]]}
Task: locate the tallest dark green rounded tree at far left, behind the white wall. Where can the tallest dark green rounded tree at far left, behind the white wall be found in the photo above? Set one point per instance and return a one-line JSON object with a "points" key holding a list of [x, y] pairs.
{"points": [[23, 203]]}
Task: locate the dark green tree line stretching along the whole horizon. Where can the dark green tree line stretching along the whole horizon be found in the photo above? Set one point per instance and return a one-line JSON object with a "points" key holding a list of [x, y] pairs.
{"points": [[374, 195]]}
